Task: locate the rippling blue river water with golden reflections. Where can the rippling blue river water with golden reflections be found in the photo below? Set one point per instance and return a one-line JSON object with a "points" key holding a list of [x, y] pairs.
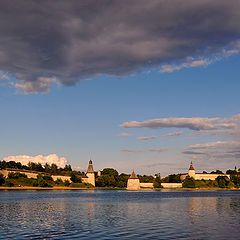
{"points": [[112, 214]]}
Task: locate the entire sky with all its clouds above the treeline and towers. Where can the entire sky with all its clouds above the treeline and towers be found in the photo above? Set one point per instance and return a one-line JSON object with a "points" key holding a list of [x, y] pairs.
{"points": [[135, 85]]}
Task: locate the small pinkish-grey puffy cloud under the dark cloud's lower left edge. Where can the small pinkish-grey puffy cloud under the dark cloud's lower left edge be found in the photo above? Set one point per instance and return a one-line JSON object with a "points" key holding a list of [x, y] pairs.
{"points": [[41, 85]]}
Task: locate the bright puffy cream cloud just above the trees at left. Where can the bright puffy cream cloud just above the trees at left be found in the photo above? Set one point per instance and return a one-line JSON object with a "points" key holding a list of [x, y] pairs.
{"points": [[51, 158]]}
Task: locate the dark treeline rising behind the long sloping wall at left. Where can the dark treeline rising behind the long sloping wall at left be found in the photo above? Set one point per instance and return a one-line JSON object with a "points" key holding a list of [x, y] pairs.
{"points": [[52, 169]]}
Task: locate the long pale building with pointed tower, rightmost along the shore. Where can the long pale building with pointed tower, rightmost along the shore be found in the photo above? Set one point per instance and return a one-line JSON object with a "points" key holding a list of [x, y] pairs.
{"points": [[201, 176]]}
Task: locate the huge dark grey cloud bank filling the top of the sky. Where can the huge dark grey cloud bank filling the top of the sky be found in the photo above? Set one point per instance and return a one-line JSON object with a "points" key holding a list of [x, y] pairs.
{"points": [[73, 40]]}
